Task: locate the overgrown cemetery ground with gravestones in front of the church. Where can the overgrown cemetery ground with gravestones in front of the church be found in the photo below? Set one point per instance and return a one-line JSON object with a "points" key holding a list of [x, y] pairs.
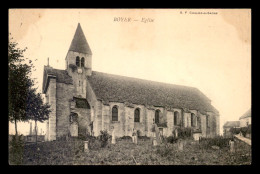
{"points": [[142, 150]]}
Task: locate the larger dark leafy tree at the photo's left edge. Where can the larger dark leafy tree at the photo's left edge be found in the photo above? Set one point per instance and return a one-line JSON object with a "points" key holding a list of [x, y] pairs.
{"points": [[19, 83]]}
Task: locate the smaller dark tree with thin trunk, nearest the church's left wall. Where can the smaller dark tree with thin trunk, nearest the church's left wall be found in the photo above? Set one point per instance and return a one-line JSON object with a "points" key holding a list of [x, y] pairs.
{"points": [[35, 109]]}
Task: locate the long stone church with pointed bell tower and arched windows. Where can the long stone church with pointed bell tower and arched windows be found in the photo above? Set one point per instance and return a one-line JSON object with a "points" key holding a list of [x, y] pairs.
{"points": [[84, 101]]}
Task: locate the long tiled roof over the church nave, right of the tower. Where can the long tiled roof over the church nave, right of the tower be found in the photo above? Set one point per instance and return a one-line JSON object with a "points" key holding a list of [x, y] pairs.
{"points": [[108, 87]]}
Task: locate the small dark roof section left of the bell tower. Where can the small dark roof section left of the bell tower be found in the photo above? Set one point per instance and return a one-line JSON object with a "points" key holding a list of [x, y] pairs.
{"points": [[61, 76]]}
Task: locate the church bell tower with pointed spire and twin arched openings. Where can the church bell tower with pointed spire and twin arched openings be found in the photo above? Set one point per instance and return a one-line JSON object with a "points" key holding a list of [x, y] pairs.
{"points": [[79, 62]]}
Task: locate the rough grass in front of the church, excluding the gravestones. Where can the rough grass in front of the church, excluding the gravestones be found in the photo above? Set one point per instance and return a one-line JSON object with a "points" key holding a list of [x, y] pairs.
{"points": [[72, 153]]}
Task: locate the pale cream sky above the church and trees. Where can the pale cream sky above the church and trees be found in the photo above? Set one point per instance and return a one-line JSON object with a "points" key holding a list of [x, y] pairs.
{"points": [[211, 52]]}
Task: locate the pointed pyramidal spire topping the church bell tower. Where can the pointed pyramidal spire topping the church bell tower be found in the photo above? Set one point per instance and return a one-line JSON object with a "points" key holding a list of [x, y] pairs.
{"points": [[79, 42]]}
